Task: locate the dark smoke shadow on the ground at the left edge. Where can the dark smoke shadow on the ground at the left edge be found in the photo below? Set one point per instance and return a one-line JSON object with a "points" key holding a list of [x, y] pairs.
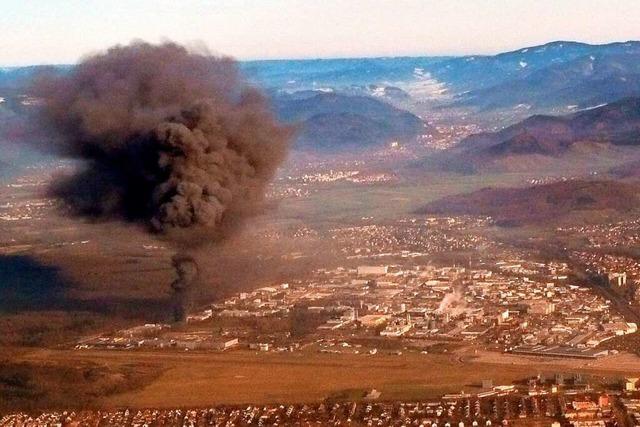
{"points": [[26, 284]]}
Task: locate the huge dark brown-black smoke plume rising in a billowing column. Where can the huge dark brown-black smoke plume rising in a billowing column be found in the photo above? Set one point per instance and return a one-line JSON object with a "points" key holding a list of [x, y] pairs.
{"points": [[171, 138]]}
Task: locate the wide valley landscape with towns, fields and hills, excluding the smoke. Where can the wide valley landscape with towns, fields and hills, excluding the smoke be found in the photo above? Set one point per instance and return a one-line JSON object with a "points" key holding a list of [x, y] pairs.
{"points": [[443, 228]]}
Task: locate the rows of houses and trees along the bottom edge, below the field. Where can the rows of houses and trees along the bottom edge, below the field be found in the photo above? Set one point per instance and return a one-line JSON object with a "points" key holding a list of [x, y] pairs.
{"points": [[540, 401]]}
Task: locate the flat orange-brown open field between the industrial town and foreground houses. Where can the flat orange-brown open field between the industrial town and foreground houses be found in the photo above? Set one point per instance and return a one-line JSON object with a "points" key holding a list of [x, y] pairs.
{"points": [[199, 379]]}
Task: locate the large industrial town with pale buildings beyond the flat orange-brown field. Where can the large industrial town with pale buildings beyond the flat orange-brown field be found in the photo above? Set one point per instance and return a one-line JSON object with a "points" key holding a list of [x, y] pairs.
{"points": [[508, 304]]}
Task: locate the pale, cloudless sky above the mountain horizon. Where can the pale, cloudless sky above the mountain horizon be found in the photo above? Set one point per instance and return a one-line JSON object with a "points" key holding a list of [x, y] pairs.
{"points": [[61, 31]]}
